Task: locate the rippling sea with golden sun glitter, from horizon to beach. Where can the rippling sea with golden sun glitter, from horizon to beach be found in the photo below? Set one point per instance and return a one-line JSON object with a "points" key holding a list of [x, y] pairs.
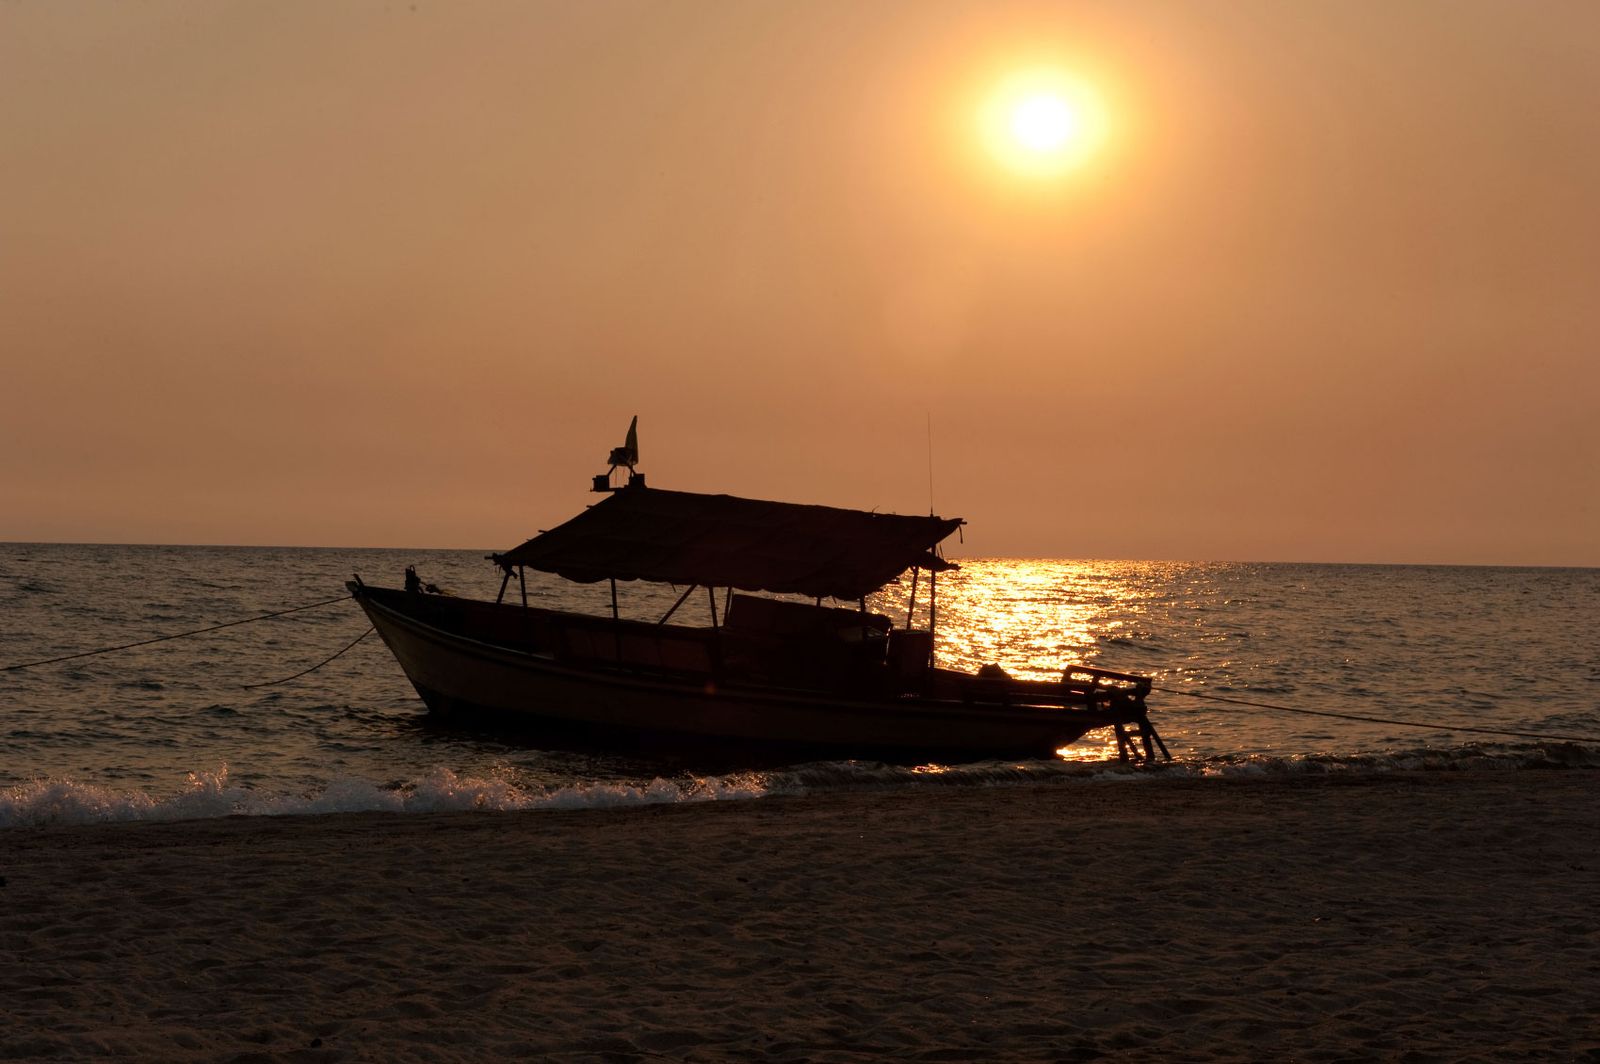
{"points": [[1324, 670]]}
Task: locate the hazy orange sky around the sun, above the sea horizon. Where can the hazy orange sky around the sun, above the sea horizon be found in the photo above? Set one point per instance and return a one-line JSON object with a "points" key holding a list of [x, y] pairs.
{"points": [[398, 274]]}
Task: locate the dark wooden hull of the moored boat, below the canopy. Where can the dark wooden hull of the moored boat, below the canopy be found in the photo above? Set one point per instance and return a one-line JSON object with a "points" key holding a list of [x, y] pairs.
{"points": [[582, 705]]}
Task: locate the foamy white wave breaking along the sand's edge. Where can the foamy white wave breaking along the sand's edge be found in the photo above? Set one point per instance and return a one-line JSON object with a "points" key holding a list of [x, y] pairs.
{"points": [[207, 796]]}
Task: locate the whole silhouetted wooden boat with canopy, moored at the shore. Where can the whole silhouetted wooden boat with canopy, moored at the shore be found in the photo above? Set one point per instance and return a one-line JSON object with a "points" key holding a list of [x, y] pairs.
{"points": [[775, 670]]}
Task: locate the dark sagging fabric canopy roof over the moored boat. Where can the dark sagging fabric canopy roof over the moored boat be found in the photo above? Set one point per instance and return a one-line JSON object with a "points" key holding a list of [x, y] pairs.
{"points": [[724, 542]]}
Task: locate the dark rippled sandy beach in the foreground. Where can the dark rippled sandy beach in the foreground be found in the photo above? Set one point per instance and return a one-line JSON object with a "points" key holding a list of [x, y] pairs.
{"points": [[1425, 918]]}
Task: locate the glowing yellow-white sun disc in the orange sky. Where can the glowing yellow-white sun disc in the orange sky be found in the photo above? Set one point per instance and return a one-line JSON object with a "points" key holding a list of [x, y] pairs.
{"points": [[1042, 122]]}
